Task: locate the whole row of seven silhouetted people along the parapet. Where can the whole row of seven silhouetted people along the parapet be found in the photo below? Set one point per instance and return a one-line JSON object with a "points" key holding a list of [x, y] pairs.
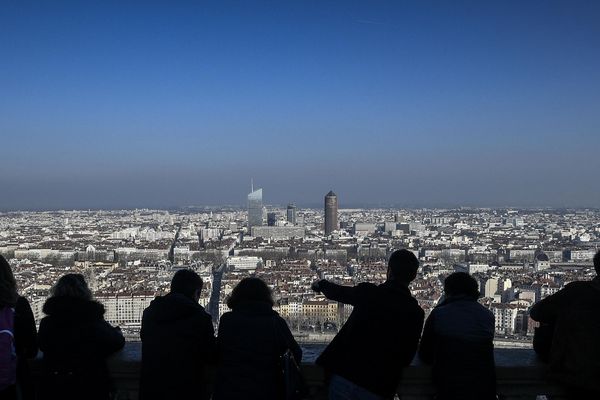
{"points": [[255, 356]]}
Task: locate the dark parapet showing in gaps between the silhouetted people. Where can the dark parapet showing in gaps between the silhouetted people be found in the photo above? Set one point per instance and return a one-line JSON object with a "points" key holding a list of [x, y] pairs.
{"points": [[520, 376]]}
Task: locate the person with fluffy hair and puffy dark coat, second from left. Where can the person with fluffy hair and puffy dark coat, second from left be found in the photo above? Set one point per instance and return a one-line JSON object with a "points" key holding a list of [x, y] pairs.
{"points": [[76, 340]]}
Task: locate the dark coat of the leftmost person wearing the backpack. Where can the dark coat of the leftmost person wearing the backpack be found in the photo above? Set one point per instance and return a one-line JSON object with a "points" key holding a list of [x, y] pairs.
{"points": [[26, 347]]}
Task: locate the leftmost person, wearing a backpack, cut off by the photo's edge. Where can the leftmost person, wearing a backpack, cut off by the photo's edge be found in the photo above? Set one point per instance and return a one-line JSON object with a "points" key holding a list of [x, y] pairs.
{"points": [[17, 327]]}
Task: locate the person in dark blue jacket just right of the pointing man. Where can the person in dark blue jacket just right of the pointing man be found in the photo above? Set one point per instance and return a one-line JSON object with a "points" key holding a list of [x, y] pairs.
{"points": [[458, 340]]}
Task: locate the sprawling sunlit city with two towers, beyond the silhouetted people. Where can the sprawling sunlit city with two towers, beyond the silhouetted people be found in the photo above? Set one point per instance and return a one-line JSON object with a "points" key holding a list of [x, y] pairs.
{"points": [[518, 256]]}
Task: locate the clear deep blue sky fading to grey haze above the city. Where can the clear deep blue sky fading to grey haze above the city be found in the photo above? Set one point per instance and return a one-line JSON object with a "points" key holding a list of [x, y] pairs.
{"points": [[409, 103]]}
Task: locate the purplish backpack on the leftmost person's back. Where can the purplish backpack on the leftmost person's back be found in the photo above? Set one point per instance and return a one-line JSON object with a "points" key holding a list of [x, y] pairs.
{"points": [[8, 355]]}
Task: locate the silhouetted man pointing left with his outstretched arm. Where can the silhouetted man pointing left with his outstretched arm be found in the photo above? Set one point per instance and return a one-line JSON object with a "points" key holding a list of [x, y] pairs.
{"points": [[366, 358]]}
